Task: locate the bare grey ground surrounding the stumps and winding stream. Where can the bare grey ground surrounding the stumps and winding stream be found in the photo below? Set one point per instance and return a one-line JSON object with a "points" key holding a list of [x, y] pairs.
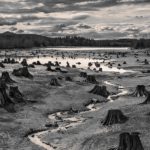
{"points": [[90, 134]]}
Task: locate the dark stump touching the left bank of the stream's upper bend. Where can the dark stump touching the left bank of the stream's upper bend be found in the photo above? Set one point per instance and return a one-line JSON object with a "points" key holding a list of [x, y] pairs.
{"points": [[100, 90]]}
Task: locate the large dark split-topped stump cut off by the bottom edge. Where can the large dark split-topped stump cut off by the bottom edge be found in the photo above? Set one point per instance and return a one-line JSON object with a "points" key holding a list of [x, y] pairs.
{"points": [[130, 141]]}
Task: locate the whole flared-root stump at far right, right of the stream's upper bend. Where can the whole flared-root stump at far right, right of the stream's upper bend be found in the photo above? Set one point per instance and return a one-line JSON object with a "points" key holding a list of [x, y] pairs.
{"points": [[140, 91]]}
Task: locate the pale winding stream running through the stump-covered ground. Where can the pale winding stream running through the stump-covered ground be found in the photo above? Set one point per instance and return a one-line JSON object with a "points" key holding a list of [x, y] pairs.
{"points": [[62, 121]]}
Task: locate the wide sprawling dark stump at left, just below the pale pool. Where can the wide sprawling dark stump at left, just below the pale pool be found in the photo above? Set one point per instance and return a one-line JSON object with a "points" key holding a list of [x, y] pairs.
{"points": [[22, 72]]}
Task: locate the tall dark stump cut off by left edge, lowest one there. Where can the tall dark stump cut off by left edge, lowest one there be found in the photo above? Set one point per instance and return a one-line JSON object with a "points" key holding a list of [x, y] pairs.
{"points": [[5, 101]]}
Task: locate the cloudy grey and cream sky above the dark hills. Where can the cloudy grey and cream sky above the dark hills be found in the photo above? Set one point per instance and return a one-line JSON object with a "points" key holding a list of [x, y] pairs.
{"points": [[100, 19]]}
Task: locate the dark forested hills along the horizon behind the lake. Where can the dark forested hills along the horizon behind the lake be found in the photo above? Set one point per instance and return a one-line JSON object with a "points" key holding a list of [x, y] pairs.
{"points": [[10, 40]]}
